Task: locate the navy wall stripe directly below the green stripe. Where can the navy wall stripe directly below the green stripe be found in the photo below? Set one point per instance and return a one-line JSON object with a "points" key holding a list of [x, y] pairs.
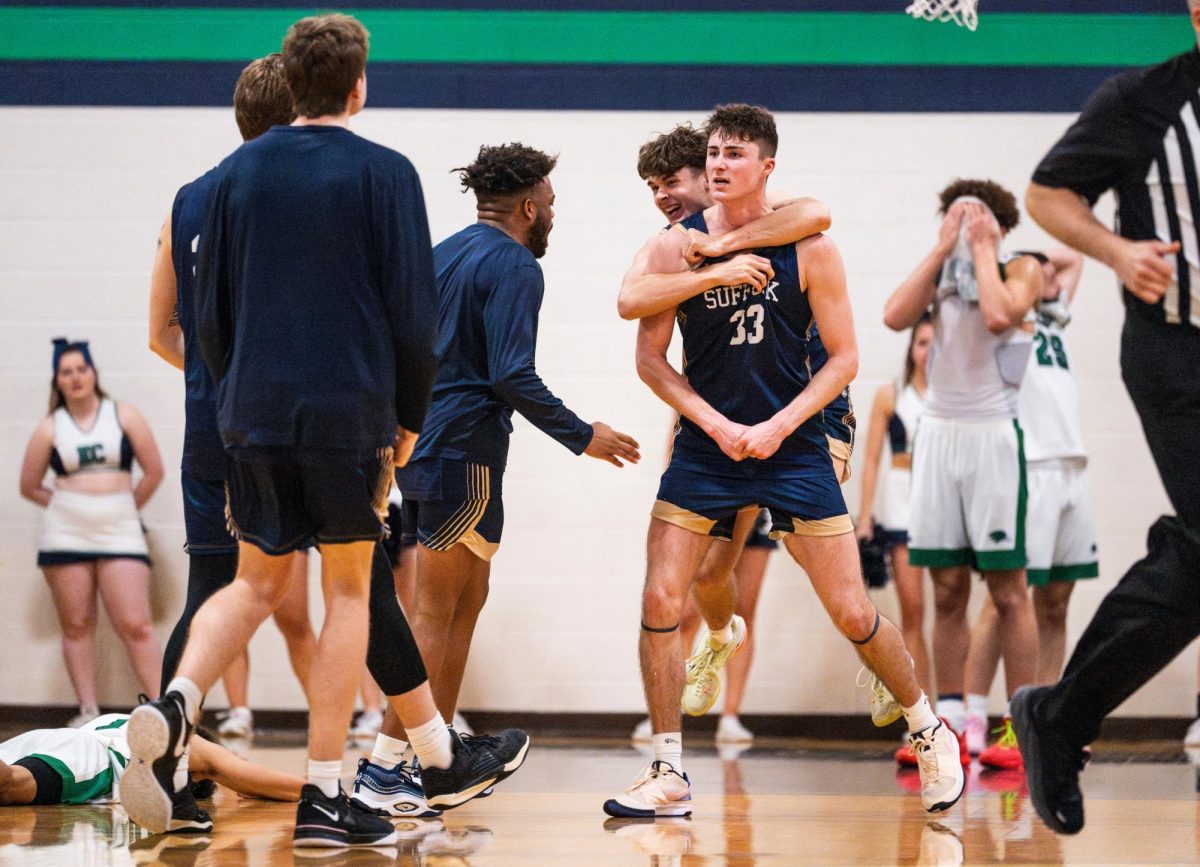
{"points": [[634, 87]]}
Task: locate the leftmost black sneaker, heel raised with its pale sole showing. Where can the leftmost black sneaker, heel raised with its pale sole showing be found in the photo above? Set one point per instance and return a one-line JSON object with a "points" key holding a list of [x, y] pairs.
{"points": [[158, 734]]}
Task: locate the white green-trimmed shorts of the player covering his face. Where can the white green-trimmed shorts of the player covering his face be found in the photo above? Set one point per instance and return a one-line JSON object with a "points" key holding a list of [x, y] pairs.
{"points": [[969, 493]]}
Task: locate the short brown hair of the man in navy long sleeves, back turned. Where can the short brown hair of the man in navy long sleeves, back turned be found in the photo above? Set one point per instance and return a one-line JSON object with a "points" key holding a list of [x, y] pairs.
{"points": [[323, 58]]}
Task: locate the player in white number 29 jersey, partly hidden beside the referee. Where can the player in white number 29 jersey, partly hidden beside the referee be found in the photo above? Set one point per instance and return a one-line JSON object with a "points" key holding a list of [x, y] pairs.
{"points": [[1060, 539]]}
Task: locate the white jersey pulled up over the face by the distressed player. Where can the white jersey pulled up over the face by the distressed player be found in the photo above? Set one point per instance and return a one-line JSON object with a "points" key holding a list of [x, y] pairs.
{"points": [[973, 373]]}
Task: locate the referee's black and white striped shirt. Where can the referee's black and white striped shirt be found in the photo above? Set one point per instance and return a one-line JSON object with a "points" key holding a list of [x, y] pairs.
{"points": [[1139, 136]]}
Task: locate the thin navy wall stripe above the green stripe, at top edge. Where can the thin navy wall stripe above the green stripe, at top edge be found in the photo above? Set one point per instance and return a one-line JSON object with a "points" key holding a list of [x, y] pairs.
{"points": [[987, 7]]}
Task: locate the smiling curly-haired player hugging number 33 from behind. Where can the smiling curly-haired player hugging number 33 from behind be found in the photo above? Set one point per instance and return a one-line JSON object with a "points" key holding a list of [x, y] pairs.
{"points": [[673, 165]]}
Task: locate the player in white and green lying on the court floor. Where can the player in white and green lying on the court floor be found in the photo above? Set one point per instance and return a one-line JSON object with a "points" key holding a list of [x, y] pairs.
{"points": [[85, 766]]}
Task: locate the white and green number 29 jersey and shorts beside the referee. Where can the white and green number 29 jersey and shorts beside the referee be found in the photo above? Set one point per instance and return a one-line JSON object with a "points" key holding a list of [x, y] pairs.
{"points": [[1060, 539]]}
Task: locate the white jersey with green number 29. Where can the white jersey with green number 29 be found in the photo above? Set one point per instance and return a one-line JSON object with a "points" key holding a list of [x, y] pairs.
{"points": [[1049, 402]]}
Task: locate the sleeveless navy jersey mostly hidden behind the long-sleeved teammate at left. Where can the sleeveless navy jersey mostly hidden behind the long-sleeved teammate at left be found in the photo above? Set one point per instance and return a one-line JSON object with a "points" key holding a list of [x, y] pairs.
{"points": [[203, 450]]}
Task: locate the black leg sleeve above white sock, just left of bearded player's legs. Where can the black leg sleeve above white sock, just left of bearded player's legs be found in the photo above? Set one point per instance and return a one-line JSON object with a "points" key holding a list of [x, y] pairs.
{"points": [[393, 656]]}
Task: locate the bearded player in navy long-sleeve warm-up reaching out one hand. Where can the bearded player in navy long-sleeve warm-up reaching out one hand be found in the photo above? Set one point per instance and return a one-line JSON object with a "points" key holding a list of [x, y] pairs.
{"points": [[490, 290]]}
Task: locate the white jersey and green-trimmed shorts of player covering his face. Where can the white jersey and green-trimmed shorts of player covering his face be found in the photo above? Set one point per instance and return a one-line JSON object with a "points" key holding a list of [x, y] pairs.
{"points": [[968, 505]]}
